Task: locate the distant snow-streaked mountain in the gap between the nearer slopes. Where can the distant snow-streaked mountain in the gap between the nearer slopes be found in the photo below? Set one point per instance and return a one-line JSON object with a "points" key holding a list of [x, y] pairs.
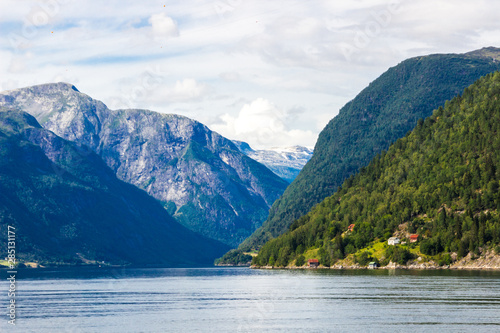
{"points": [[285, 162]]}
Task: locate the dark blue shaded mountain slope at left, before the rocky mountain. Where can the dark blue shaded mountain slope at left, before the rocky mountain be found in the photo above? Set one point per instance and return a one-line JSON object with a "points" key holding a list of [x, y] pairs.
{"points": [[68, 207]]}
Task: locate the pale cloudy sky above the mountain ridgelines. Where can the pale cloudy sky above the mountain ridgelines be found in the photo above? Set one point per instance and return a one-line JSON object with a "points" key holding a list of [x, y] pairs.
{"points": [[271, 73]]}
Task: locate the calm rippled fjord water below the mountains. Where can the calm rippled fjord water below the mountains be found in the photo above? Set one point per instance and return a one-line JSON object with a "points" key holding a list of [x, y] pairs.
{"points": [[245, 300]]}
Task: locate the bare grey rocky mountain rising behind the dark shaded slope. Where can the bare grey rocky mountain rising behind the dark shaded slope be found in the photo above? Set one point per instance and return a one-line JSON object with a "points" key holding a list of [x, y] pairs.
{"points": [[200, 177]]}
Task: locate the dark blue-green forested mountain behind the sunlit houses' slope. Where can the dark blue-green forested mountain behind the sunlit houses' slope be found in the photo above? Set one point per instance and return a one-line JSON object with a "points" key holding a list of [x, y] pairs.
{"points": [[380, 114]]}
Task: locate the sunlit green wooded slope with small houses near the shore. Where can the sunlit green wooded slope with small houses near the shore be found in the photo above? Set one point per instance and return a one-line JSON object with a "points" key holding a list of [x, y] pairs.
{"points": [[440, 182]]}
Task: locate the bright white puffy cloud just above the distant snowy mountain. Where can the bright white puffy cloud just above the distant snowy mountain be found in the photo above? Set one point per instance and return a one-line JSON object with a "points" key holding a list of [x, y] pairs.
{"points": [[262, 124]]}
